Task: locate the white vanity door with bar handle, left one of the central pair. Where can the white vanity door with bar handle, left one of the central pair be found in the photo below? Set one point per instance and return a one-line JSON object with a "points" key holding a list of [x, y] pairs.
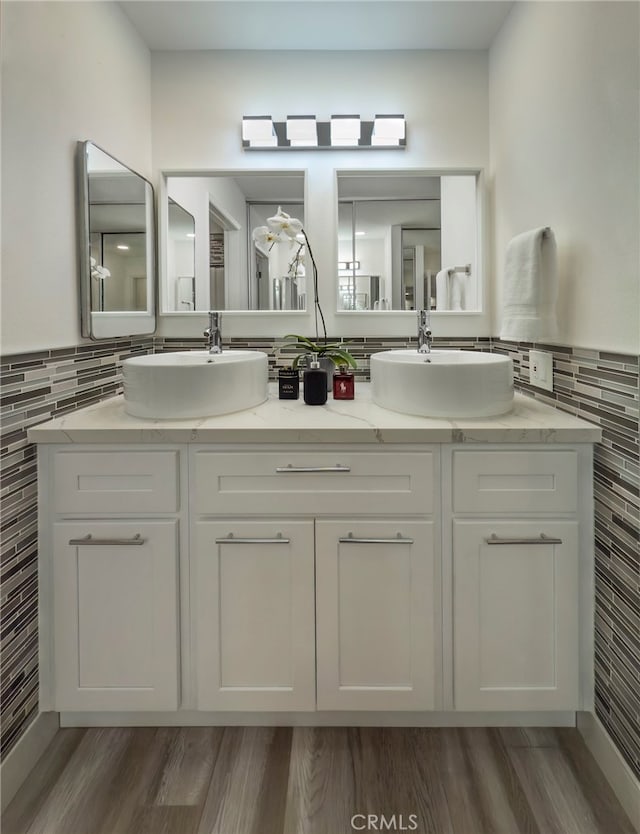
{"points": [[254, 624]]}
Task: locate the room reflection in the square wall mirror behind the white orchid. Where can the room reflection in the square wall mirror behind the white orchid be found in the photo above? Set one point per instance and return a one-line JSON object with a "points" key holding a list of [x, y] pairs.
{"points": [[232, 271]]}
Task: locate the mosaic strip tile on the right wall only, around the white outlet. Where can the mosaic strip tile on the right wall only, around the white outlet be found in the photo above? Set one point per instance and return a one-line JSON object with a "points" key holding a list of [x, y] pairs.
{"points": [[603, 388]]}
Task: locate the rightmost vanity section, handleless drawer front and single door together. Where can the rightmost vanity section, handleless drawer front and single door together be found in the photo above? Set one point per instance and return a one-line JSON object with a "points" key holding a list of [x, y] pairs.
{"points": [[516, 579]]}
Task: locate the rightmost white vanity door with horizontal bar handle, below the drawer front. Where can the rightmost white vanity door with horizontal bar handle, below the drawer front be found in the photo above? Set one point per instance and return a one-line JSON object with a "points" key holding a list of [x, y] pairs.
{"points": [[515, 628]]}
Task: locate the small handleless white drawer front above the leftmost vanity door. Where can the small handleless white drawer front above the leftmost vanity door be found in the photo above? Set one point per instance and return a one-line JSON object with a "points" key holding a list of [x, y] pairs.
{"points": [[115, 482]]}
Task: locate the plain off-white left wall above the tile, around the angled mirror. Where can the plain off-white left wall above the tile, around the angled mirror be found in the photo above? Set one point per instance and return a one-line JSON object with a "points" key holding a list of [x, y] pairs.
{"points": [[70, 71]]}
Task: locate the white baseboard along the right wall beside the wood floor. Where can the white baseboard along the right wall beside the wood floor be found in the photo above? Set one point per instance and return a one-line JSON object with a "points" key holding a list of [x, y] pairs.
{"points": [[616, 771]]}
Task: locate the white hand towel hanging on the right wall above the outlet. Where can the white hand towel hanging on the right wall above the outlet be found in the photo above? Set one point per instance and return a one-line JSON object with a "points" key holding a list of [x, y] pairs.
{"points": [[530, 288]]}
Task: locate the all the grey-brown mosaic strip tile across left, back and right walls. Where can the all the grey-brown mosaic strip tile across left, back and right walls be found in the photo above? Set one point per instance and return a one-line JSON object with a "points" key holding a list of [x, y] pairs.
{"points": [[598, 386]]}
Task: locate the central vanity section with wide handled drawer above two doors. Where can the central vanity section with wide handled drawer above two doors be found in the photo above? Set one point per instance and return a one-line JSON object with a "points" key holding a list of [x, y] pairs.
{"points": [[339, 595]]}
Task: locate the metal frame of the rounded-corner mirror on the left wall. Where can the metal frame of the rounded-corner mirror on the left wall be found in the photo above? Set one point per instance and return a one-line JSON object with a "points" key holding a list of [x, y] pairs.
{"points": [[98, 325]]}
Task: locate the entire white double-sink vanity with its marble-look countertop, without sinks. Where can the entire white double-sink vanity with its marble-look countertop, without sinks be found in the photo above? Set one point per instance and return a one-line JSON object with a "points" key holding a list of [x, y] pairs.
{"points": [[302, 565]]}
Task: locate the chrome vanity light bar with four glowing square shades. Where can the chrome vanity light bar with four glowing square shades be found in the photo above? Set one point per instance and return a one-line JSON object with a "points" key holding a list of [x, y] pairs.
{"points": [[342, 132]]}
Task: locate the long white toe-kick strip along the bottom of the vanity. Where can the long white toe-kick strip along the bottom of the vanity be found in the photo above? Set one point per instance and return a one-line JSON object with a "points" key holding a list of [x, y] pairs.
{"points": [[187, 718]]}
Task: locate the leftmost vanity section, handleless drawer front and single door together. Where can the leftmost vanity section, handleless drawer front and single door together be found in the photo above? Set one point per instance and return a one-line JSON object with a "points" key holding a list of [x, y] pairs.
{"points": [[110, 584]]}
